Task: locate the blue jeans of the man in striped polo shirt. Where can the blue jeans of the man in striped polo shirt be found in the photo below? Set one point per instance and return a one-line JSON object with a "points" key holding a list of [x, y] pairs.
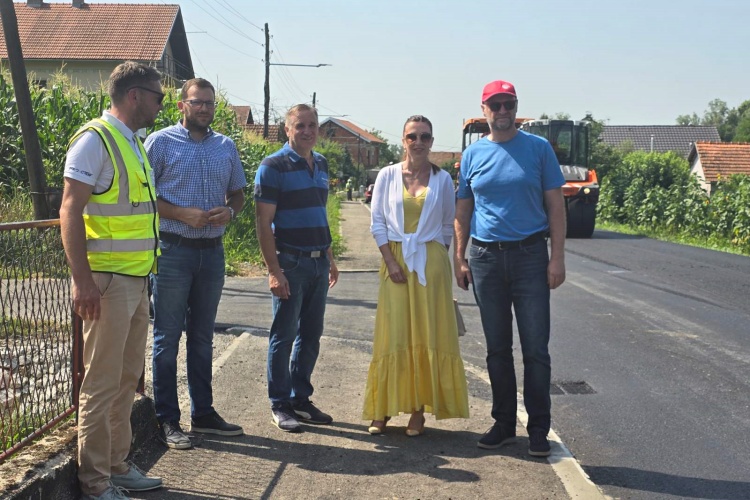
{"points": [[294, 341]]}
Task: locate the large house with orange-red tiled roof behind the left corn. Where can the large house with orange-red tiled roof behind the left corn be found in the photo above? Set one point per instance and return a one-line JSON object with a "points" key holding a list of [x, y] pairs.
{"points": [[87, 41]]}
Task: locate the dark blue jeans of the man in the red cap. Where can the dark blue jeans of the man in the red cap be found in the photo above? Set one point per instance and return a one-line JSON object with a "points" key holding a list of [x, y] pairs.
{"points": [[517, 279]]}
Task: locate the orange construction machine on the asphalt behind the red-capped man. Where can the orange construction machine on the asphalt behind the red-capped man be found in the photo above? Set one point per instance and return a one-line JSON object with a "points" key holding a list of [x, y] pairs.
{"points": [[570, 141]]}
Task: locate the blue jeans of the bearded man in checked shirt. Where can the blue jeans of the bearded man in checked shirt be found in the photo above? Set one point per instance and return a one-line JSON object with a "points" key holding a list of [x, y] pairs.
{"points": [[186, 293]]}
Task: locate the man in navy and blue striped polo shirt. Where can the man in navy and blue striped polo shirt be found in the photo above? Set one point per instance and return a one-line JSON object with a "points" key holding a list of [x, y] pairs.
{"points": [[291, 191]]}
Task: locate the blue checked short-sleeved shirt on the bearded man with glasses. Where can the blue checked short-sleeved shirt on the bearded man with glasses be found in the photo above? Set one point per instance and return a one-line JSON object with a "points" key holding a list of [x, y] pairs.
{"points": [[193, 174]]}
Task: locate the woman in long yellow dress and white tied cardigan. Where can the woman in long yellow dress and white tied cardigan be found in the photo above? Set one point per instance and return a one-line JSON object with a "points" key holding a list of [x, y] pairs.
{"points": [[416, 365]]}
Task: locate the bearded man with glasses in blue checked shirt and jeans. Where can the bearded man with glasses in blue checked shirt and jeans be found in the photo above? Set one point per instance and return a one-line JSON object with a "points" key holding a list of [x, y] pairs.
{"points": [[199, 182]]}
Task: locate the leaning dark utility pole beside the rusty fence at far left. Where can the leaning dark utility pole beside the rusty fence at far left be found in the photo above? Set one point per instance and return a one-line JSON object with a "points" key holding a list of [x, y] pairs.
{"points": [[31, 146]]}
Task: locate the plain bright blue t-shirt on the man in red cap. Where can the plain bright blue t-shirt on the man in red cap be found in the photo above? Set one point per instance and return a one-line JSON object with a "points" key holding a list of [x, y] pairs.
{"points": [[507, 181]]}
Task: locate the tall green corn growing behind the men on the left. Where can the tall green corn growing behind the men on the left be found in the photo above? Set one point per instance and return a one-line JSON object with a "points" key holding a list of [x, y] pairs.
{"points": [[60, 109]]}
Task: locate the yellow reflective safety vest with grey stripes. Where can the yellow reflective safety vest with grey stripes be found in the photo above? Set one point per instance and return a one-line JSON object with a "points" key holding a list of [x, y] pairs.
{"points": [[122, 224]]}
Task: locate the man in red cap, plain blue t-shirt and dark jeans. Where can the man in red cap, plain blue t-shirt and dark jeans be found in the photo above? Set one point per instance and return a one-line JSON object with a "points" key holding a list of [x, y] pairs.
{"points": [[509, 201]]}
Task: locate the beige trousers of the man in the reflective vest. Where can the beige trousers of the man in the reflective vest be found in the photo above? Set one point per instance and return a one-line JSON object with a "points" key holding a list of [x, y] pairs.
{"points": [[114, 348]]}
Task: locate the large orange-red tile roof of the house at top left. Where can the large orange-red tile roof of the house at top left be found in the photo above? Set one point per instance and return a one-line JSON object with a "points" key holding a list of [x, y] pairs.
{"points": [[94, 32]]}
